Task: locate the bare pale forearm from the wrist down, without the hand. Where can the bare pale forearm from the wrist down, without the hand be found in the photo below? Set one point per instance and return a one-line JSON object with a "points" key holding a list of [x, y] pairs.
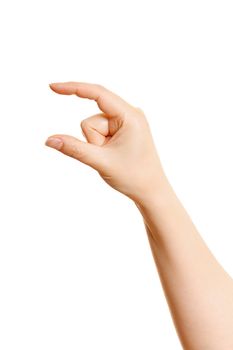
{"points": [[198, 290]]}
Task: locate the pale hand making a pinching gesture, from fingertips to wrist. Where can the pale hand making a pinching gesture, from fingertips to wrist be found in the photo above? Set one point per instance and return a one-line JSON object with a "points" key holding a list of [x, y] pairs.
{"points": [[119, 142]]}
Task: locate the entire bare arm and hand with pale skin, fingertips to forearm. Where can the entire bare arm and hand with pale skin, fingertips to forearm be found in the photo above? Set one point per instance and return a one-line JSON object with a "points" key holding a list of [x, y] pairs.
{"points": [[120, 147]]}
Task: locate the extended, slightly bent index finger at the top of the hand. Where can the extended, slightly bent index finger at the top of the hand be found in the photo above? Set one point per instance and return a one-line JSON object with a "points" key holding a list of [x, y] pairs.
{"points": [[108, 102]]}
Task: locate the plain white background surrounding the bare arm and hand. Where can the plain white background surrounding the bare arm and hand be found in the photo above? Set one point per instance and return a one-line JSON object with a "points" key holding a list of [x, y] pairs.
{"points": [[76, 270]]}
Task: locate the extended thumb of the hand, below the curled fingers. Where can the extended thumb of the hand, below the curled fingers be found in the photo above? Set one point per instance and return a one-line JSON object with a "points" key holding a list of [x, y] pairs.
{"points": [[87, 153]]}
